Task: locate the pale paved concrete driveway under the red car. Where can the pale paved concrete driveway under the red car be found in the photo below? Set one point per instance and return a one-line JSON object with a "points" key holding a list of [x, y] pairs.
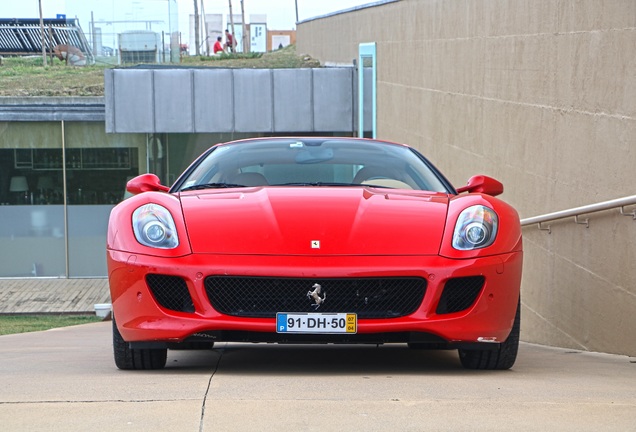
{"points": [[65, 380]]}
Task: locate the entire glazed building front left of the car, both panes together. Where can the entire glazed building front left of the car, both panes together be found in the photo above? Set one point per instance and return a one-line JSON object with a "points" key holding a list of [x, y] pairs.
{"points": [[38, 177]]}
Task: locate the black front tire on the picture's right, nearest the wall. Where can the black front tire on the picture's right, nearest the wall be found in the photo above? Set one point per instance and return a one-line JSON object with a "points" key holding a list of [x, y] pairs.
{"points": [[499, 359]]}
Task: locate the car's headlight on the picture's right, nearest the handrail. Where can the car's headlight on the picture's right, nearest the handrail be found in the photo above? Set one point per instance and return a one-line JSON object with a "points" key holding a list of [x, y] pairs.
{"points": [[476, 228]]}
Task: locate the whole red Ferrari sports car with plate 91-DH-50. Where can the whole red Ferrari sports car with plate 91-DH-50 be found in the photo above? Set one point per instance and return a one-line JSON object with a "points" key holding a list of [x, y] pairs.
{"points": [[314, 240]]}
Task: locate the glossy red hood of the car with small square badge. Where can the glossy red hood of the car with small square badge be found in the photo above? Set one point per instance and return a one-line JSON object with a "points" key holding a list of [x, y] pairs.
{"points": [[315, 221]]}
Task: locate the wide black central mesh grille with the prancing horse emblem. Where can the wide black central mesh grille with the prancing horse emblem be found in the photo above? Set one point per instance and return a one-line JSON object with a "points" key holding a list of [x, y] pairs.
{"points": [[261, 297]]}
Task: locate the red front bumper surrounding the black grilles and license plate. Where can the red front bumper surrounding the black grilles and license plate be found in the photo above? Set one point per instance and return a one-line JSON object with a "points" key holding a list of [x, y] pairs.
{"points": [[140, 318]]}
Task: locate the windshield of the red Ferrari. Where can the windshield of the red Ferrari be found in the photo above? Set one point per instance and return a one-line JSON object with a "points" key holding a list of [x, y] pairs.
{"points": [[311, 162]]}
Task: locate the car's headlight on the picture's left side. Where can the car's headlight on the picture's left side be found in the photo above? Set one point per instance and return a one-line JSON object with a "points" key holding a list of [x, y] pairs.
{"points": [[154, 227]]}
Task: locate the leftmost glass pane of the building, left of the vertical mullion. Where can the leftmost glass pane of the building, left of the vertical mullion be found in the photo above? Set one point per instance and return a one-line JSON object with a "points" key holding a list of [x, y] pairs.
{"points": [[31, 193]]}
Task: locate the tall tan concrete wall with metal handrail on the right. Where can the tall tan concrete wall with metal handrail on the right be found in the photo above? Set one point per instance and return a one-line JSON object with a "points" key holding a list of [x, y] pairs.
{"points": [[540, 94]]}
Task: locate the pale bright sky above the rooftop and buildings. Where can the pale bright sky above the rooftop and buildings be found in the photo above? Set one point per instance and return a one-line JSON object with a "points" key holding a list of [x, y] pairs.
{"points": [[281, 14]]}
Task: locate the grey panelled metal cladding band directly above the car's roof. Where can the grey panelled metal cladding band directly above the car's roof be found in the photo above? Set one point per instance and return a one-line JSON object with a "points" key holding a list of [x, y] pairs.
{"points": [[251, 100]]}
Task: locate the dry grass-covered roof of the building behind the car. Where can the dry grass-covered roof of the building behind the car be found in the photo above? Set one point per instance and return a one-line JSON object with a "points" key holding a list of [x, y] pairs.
{"points": [[27, 77]]}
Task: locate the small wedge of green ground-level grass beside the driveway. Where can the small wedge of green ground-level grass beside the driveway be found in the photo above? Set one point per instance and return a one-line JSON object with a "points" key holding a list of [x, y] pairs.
{"points": [[11, 324]]}
